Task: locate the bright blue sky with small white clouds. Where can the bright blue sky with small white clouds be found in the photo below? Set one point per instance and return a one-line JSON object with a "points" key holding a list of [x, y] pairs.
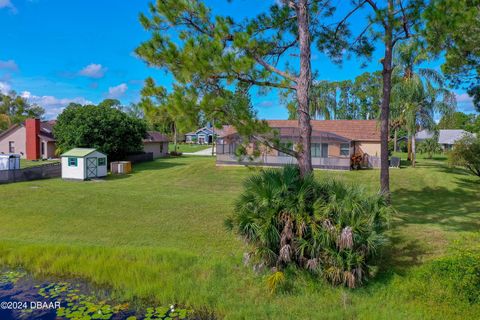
{"points": [[56, 51]]}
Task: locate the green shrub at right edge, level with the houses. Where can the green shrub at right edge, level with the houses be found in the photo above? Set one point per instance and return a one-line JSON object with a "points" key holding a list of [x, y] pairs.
{"points": [[466, 153]]}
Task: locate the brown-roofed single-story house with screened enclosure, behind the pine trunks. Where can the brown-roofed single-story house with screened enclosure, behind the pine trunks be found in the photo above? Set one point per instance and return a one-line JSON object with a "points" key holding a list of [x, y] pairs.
{"points": [[334, 142]]}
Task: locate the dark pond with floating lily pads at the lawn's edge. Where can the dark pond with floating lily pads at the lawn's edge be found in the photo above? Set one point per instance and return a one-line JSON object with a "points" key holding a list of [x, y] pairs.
{"points": [[24, 297]]}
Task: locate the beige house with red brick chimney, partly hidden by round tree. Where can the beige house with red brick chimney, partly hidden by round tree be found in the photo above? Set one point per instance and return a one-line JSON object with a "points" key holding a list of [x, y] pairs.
{"points": [[34, 139]]}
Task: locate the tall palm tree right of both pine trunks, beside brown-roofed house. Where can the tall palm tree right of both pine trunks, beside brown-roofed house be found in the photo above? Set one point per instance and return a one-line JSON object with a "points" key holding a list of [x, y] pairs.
{"points": [[419, 94]]}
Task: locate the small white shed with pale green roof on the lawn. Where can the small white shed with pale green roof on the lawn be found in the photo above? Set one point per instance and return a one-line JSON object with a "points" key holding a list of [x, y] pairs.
{"points": [[83, 164]]}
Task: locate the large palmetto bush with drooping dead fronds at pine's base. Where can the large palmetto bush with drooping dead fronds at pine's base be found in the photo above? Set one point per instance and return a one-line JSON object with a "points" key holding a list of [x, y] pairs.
{"points": [[330, 229]]}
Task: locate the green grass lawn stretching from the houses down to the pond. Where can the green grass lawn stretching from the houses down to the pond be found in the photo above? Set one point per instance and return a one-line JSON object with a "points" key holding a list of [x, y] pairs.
{"points": [[157, 236]]}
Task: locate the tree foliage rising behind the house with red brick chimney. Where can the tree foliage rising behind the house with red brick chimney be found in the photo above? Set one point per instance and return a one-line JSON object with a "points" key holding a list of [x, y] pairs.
{"points": [[15, 109]]}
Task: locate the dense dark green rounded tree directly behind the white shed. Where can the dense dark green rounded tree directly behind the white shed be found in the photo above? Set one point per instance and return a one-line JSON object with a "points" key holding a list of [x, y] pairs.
{"points": [[102, 127]]}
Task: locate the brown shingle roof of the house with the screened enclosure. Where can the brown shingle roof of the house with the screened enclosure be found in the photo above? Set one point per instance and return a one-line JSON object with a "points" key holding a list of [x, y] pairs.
{"points": [[354, 130]]}
